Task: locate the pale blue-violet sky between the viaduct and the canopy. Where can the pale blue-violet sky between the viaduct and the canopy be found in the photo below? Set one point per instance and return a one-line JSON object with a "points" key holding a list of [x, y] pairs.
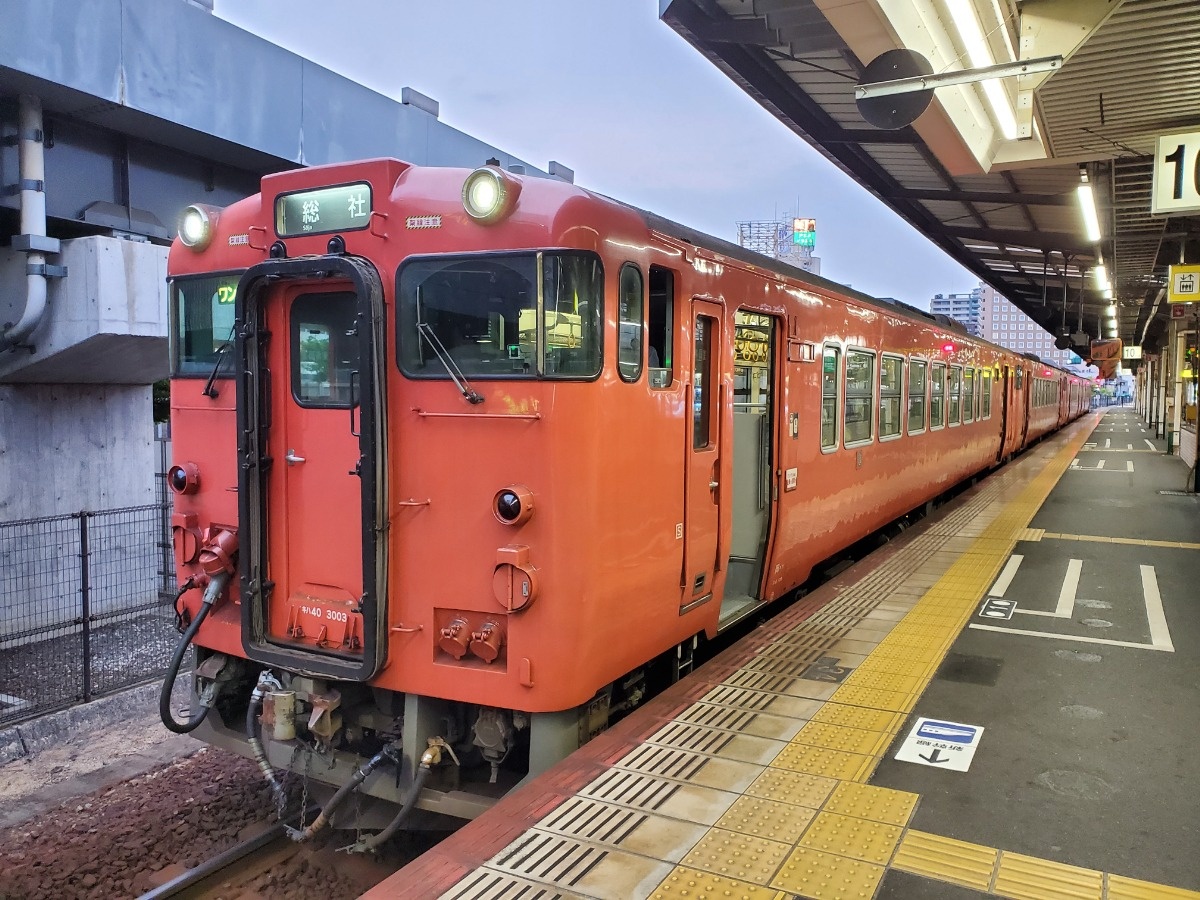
{"points": [[613, 93]]}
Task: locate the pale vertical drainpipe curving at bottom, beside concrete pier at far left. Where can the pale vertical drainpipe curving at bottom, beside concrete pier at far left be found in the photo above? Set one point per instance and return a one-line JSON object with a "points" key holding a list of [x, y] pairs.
{"points": [[33, 219]]}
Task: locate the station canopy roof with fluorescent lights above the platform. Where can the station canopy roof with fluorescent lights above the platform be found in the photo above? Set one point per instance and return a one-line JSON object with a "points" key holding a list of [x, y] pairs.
{"points": [[993, 176]]}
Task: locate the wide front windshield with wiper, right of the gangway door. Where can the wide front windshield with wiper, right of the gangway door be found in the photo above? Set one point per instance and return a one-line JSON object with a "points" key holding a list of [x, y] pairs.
{"points": [[503, 316]]}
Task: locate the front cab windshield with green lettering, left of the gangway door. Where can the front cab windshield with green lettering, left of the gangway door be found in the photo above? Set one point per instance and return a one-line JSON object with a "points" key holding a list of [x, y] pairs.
{"points": [[202, 315]]}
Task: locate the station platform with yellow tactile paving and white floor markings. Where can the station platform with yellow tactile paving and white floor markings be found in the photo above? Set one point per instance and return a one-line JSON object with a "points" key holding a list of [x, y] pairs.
{"points": [[1001, 703]]}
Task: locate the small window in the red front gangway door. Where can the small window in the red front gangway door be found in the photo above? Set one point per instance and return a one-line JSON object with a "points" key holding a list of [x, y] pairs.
{"points": [[325, 350]]}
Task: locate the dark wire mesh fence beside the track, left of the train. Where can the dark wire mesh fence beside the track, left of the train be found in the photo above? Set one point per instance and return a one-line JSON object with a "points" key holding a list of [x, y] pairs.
{"points": [[86, 607]]}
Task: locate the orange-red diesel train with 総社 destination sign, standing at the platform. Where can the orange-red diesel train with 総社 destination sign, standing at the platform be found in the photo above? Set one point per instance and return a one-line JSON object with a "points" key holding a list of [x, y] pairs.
{"points": [[466, 461]]}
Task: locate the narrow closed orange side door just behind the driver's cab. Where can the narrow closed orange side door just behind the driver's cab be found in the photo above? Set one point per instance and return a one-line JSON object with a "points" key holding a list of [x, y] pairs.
{"points": [[704, 490]]}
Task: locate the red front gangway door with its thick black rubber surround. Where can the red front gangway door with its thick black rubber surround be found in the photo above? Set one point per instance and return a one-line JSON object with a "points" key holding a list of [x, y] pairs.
{"points": [[310, 501]]}
